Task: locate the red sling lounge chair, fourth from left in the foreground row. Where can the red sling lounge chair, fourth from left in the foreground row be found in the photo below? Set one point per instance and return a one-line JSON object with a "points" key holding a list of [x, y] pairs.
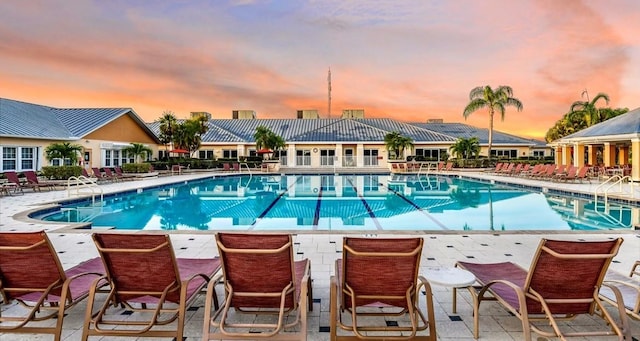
{"points": [[380, 273]]}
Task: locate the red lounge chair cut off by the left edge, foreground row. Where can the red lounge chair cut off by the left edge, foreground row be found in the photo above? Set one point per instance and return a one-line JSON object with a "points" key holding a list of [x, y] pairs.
{"points": [[31, 274]]}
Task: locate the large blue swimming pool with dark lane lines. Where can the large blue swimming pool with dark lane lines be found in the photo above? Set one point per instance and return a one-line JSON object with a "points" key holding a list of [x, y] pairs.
{"points": [[343, 203]]}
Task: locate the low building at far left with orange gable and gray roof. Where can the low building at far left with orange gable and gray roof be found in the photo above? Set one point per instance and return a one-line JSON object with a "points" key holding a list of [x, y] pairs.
{"points": [[26, 130]]}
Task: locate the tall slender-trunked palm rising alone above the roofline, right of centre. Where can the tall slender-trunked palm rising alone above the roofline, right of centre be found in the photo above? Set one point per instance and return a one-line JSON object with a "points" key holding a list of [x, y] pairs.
{"points": [[498, 100]]}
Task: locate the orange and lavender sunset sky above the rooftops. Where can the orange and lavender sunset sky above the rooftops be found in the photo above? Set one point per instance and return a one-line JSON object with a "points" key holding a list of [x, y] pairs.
{"points": [[408, 60]]}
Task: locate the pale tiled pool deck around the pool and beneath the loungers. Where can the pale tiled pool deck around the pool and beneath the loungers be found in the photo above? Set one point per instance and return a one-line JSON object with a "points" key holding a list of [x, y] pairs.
{"points": [[441, 249]]}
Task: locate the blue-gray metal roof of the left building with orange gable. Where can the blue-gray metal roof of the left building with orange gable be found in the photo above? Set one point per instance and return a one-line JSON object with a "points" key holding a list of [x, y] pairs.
{"points": [[20, 119]]}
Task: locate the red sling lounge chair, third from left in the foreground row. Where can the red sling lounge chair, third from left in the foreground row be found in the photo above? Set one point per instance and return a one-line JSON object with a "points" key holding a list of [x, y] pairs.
{"points": [[260, 276]]}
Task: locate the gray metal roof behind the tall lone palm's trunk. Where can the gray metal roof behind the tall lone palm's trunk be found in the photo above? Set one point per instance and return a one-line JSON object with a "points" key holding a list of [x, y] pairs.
{"points": [[459, 130]]}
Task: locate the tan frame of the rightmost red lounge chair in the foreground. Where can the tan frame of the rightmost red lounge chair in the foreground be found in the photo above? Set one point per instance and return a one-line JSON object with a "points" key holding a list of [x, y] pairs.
{"points": [[526, 295]]}
